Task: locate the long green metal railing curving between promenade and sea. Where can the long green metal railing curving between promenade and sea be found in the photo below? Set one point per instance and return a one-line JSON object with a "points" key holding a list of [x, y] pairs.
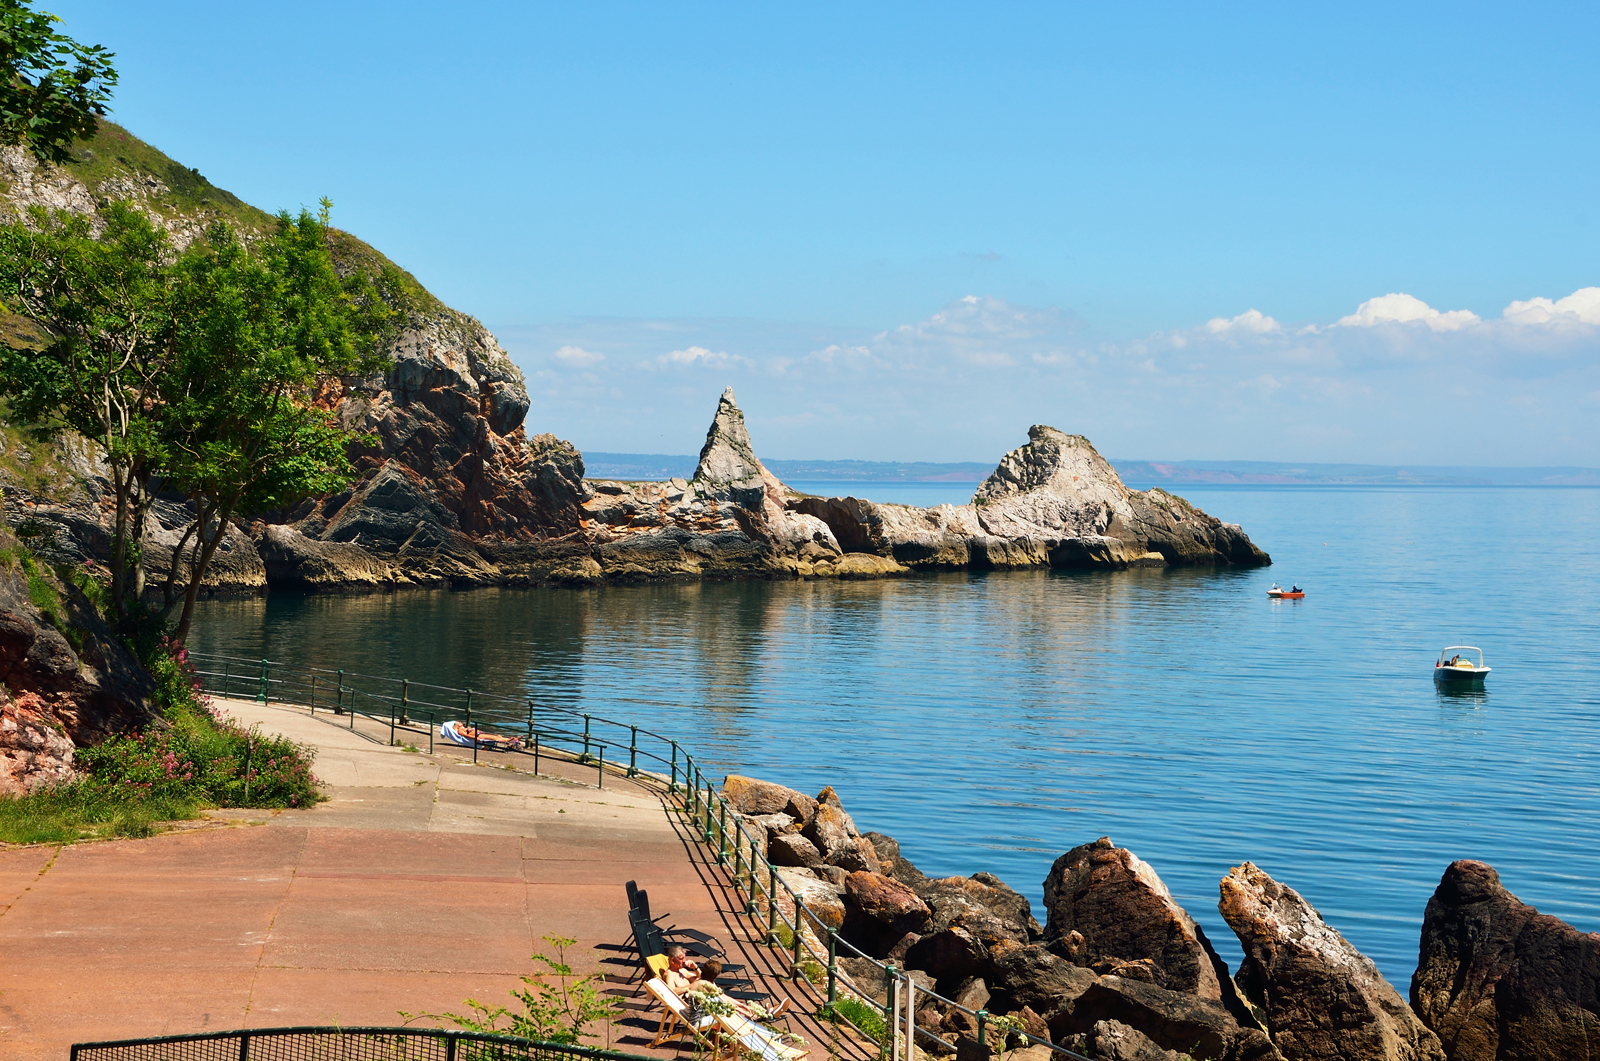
{"points": [[402, 705]]}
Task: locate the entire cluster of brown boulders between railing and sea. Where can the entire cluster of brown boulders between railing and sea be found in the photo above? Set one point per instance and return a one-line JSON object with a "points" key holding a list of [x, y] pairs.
{"points": [[1119, 971]]}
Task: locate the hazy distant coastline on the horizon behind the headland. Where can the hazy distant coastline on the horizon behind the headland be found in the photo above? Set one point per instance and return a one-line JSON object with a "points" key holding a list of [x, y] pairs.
{"points": [[662, 466]]}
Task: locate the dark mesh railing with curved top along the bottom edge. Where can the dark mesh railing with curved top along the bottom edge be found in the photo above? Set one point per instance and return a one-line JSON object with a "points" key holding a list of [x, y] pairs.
{"points": [[342, 1044]]}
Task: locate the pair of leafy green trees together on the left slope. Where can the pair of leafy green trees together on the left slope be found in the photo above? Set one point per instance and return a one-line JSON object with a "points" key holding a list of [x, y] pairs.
{"points": [[198, 370]]}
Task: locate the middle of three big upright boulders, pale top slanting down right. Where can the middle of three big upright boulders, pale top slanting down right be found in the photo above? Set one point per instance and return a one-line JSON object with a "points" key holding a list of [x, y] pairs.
{"points": [[1321, 998]]}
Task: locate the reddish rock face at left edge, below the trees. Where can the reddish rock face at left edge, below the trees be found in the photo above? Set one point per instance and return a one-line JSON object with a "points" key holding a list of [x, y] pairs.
{"points": [[65, 681]]}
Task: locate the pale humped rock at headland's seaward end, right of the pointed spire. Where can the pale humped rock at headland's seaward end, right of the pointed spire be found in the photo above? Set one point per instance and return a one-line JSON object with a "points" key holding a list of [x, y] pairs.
{"points": [[1052, 503]]}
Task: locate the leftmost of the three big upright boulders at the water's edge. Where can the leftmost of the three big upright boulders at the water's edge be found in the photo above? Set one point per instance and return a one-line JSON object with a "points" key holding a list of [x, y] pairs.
{"points": [[1106, 910]]}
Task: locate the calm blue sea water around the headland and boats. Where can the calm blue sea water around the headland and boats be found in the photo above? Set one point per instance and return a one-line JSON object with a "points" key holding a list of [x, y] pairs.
{"points": [[996, 721]]}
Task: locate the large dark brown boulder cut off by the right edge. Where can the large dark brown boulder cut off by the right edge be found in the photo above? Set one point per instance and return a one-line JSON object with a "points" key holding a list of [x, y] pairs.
{"points": [[1498, 980]]}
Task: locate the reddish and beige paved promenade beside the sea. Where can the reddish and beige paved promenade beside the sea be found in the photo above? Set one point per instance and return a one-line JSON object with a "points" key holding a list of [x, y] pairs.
{"points": [[423, 883]]}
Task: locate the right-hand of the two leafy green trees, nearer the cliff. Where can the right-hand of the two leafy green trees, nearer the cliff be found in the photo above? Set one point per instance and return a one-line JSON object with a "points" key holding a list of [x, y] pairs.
{"points": [[262, 326]]}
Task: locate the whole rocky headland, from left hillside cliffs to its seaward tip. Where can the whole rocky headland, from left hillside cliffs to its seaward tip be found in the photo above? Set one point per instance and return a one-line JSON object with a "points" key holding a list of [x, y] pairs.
{"points": [[458, 492]]}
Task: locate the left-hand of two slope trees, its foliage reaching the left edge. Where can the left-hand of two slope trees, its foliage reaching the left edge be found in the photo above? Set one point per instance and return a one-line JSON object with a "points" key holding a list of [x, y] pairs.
{"points": [[106, 308]]}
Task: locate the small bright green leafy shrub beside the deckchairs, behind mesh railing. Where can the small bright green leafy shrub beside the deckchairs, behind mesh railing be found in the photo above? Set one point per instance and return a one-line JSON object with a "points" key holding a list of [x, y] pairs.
{"points": [[561, 1012]]}
